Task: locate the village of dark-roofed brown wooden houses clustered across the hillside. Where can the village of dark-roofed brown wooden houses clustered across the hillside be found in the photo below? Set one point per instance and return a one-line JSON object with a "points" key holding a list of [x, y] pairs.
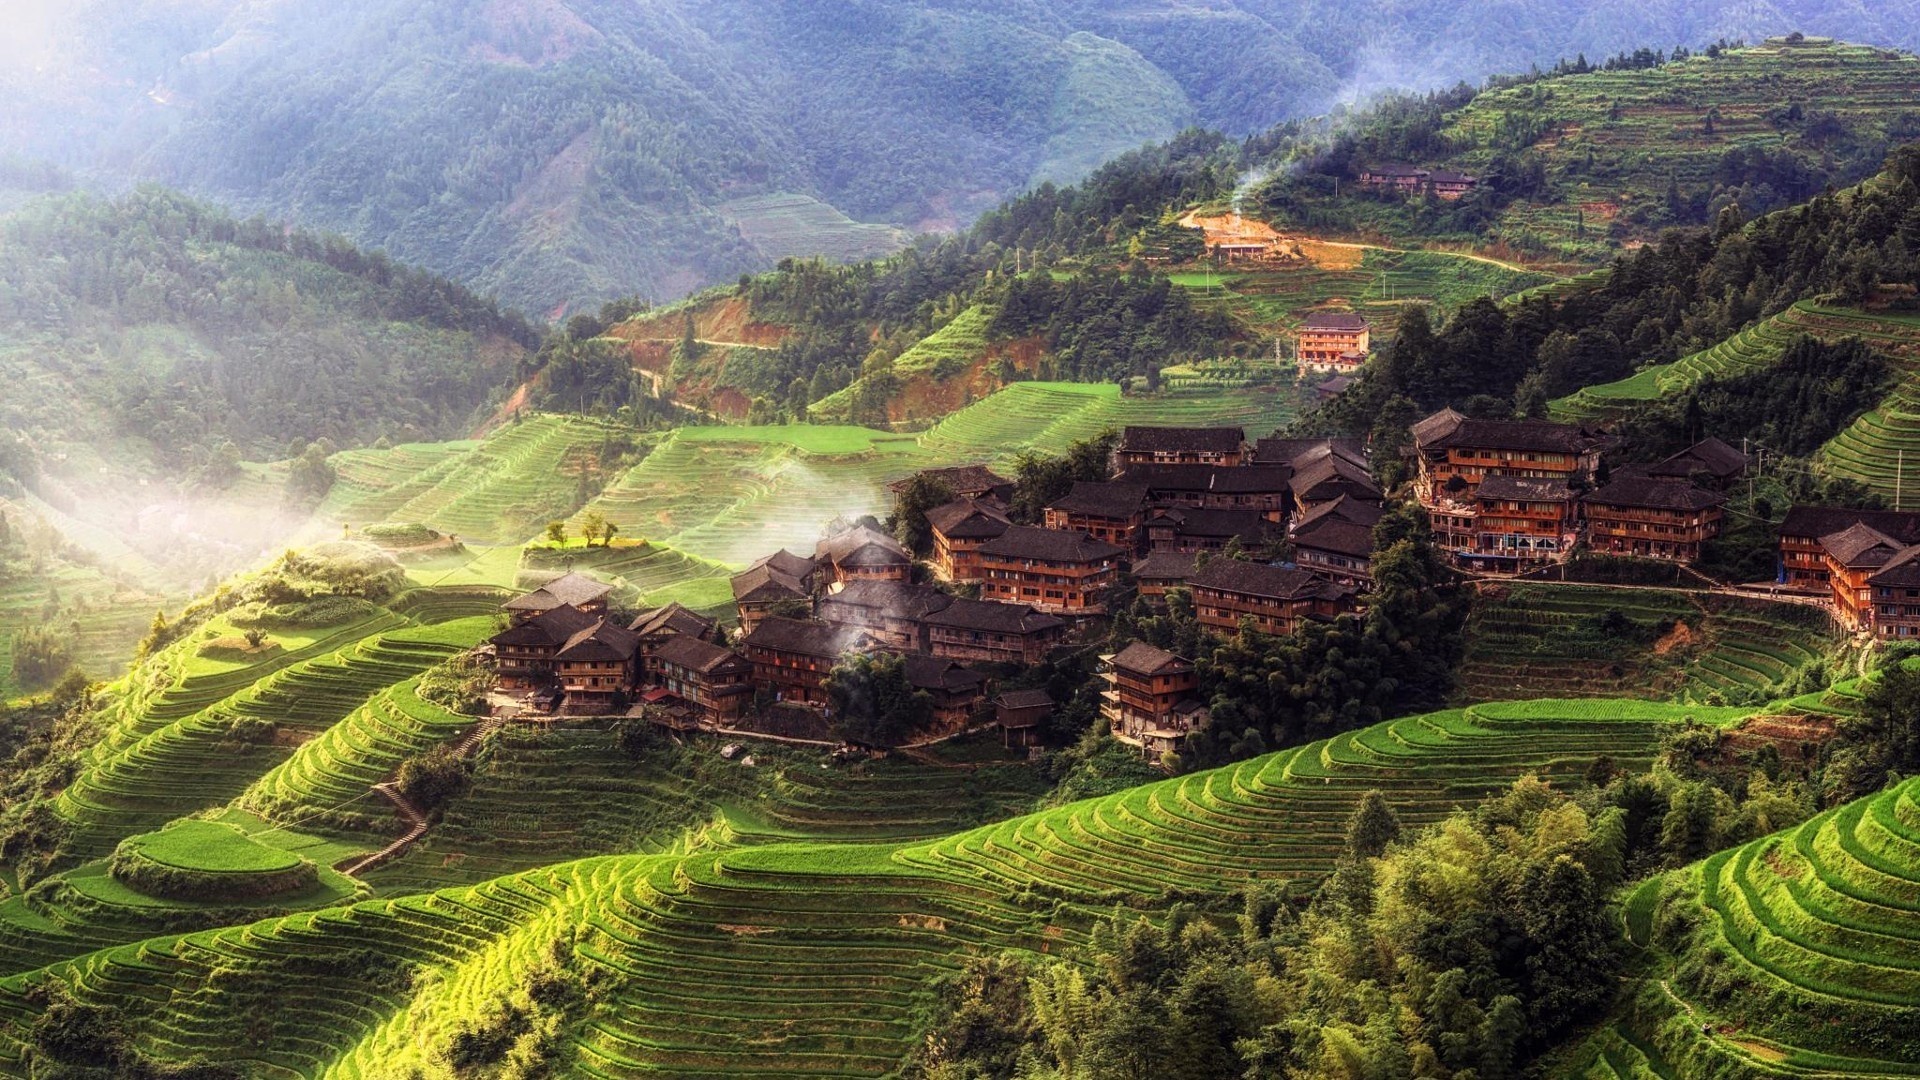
{"points": [[1259, 535]]}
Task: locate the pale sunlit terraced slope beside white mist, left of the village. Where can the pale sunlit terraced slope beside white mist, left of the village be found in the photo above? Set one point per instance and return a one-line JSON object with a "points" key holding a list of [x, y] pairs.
{"points": [[498, 491]]}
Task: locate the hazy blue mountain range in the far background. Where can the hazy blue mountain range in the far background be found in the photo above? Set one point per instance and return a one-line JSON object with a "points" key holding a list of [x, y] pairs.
{"points": [[558, 153]]}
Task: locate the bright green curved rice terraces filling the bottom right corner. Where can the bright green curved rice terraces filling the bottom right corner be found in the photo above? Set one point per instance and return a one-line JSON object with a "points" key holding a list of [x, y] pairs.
{"points": [[1800, 954]]}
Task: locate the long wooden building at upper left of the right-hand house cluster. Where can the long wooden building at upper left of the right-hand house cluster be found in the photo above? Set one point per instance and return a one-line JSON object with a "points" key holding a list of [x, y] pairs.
{"points": [[1452, 454]]}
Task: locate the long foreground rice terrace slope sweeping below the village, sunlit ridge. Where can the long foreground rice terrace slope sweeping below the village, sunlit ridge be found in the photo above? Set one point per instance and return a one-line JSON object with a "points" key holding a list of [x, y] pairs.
{"points": [[798, 960]]}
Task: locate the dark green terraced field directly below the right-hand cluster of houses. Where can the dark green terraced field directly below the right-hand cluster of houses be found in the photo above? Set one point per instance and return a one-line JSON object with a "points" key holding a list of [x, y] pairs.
{"points": [[1548, 639]]}
